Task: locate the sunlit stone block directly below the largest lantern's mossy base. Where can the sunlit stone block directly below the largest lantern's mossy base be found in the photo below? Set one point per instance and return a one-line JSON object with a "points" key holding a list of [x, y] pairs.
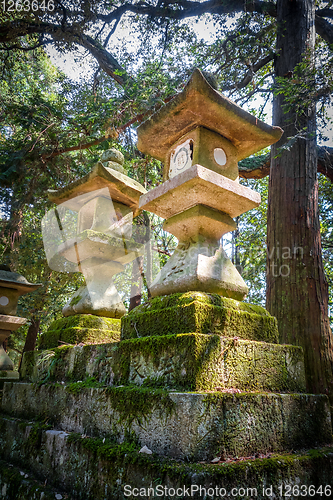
{"points": [[200, 362]]}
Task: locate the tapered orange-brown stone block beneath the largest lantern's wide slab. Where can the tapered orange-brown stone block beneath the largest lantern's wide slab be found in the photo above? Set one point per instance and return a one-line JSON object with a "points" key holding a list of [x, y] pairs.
{"points": [[199, 220]]}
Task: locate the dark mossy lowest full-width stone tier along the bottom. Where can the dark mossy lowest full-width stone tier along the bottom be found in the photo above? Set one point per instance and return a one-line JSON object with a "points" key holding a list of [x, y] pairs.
{"points": [[90, 468]]}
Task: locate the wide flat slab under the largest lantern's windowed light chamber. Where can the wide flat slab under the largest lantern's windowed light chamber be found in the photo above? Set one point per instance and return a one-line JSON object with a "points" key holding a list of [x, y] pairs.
{"points": [[199, 185]]}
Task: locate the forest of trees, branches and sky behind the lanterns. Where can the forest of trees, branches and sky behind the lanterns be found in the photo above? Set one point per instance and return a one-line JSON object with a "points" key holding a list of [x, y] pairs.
{"points": [[53, 129]]}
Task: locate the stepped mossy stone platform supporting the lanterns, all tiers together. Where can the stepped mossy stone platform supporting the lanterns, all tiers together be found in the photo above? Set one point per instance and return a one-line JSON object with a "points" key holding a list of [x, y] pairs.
{"points": [[185, 409]]}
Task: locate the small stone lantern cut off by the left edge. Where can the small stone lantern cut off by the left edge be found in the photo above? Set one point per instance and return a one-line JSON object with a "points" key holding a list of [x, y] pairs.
{"points": [[12, 286]]}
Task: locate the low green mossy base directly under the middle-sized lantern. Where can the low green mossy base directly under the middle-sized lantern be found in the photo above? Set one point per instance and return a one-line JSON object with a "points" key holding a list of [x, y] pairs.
{"points": [[81, 328]]}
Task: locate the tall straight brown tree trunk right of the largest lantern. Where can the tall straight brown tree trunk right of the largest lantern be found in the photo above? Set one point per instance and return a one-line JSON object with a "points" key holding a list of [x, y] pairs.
{"points": [[297, 291]]}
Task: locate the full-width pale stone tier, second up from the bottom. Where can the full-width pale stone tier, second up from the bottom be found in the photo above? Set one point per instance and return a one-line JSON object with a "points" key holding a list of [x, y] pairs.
{"points": [[184, 425]]}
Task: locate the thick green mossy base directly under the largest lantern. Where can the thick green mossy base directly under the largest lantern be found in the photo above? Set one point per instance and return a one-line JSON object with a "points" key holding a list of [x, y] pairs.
{"points": [[202, 313]]}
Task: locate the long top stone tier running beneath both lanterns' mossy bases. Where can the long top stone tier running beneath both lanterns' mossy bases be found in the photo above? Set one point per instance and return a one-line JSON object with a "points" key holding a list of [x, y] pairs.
{"points": [[186, 361]]}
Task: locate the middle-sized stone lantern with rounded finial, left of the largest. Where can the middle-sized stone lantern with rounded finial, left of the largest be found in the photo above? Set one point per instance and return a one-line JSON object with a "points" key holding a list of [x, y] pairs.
{"points": [[106, 200]]}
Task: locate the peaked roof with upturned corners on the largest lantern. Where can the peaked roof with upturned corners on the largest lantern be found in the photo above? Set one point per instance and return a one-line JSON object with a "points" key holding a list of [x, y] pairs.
{"points": [[200, 104]]}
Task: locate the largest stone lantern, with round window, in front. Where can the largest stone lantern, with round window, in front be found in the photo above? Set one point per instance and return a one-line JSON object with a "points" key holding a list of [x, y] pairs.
{"points": [[200, 135]]}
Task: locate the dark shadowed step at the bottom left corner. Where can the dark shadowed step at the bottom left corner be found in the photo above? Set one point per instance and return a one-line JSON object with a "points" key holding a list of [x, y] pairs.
{"points": [[18, 483]]}
